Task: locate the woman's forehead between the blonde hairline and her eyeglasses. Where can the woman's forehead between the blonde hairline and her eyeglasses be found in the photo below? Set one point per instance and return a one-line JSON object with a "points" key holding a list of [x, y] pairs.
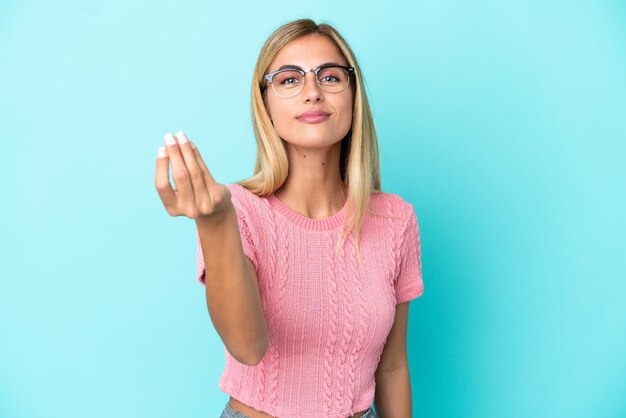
{"points": [[307, 52]]}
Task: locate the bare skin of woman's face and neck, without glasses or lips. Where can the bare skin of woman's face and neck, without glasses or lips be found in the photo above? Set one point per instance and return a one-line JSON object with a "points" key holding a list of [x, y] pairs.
{"points": [[313, 187]]}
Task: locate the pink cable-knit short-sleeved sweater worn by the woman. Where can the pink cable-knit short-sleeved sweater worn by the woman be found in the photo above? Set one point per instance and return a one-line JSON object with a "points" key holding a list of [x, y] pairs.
{"points": [[327, 319]]}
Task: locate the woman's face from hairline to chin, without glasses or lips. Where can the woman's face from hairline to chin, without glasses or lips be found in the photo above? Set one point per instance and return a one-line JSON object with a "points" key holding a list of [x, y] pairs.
{"points": [[310, 52]]}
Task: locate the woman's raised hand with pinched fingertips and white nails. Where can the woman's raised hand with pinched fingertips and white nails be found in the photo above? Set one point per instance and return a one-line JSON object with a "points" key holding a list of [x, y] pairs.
{"points": [[197, 195]]}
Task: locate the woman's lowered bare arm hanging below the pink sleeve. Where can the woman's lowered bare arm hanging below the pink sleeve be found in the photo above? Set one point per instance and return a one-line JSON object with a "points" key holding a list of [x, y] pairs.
{"points": [[393, 386]]}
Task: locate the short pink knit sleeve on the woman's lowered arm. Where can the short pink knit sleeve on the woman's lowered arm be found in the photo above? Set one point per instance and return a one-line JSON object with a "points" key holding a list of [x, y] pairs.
{"points": [[409, 283]]}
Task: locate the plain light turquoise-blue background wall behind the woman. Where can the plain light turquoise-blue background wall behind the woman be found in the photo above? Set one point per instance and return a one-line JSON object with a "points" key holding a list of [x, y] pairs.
{"points": [[503, 123]]}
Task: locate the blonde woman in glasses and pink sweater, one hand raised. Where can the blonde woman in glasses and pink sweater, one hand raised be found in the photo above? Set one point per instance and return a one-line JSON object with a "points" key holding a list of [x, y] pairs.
{"points": [[308, 266]]}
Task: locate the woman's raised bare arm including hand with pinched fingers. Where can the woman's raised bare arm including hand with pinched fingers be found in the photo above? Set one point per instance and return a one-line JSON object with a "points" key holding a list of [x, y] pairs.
{"points": [[232, 292]]}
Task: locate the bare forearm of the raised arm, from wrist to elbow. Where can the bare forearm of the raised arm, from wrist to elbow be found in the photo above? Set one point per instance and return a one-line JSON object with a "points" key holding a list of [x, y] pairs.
{"points": [[232, 293]]}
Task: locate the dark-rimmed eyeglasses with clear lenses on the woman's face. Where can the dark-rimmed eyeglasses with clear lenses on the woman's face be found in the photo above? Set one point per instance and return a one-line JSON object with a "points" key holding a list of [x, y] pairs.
{"points": [[332, 78]]}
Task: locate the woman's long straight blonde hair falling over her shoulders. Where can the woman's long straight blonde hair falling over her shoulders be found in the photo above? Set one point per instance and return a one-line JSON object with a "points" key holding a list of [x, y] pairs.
{"points": [[359, 160]]}
